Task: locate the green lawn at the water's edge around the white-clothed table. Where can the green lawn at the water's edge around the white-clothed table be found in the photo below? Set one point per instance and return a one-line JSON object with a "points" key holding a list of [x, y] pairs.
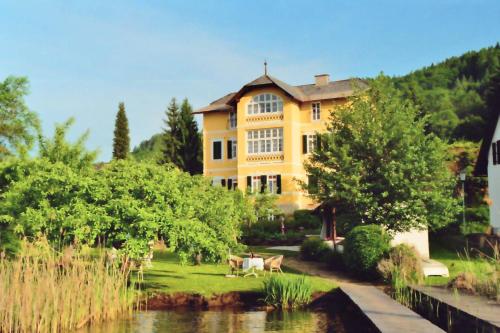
{"points": [[168, 276]]}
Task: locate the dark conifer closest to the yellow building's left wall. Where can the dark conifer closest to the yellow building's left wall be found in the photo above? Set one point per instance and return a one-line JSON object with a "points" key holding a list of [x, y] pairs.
{"points": [[190, 147]]}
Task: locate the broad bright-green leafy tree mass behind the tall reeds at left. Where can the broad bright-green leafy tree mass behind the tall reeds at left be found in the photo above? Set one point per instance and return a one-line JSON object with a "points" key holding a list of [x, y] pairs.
{"points": [[125, 203]]}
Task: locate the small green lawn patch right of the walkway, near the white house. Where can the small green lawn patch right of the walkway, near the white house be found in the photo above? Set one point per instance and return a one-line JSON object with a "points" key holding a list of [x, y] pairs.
{"points": [[456, 262]]}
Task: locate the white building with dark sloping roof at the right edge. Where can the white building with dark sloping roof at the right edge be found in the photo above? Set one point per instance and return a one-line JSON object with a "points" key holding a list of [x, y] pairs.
{"points": [[488, 164]]}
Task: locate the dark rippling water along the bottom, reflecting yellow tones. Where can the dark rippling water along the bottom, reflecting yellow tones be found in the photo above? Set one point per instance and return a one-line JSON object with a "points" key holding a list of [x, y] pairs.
{"points": [[230, 321]]}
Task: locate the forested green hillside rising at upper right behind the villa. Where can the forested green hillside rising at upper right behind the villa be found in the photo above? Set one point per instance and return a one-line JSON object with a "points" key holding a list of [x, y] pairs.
{"points": [[453, 92]]}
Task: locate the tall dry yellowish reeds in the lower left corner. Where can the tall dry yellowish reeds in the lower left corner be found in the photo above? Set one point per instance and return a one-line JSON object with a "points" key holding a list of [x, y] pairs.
{"points": [[44, 291]]}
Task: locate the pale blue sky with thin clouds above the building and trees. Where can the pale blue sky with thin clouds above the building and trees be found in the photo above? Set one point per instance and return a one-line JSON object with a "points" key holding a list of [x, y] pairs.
{"points": [[83, 57]]}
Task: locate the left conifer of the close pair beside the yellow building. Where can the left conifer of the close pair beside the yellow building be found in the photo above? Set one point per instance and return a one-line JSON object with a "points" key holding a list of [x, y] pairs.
{"points": [[172, 135]]}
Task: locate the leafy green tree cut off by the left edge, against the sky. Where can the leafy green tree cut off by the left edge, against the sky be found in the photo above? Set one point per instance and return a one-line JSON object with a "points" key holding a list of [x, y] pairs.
{"points": [[17, 123]]}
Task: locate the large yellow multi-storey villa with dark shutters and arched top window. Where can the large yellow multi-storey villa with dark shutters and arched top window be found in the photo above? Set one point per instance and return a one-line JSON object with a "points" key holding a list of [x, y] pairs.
{"points": [[259, 136]]}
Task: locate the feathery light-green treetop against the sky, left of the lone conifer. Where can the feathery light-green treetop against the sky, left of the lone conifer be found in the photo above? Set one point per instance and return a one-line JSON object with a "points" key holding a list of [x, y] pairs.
{"points": [[58, 149]]}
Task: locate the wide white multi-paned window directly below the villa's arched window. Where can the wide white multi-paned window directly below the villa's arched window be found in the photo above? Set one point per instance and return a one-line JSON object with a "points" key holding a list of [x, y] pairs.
{"points": [[262, 141]]}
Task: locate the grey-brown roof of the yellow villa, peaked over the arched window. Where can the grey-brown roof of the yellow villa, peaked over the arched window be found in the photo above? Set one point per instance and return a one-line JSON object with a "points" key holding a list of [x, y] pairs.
{"points": [[302, 93]]}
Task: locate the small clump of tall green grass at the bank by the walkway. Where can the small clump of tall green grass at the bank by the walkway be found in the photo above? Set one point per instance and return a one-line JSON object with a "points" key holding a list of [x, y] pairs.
{"points": [[287, 292]]}
